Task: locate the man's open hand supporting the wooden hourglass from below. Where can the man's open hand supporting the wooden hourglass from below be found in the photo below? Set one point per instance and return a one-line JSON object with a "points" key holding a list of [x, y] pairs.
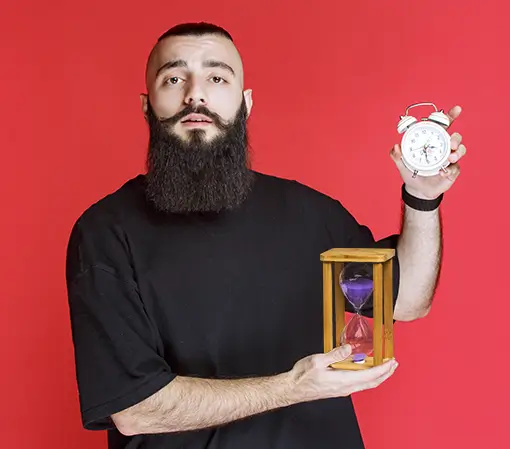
{"points": [[312, 377]]}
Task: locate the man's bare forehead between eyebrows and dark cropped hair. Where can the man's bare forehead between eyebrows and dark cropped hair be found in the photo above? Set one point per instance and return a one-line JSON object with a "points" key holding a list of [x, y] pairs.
{"points": [[194, 50]]}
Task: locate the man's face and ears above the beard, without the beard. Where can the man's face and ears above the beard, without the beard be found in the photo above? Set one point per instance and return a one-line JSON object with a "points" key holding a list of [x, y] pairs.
{"points": [[189, 72]]}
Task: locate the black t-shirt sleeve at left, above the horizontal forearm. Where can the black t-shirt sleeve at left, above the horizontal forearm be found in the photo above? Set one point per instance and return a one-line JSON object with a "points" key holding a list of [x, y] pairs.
{"points": [[118, 354]]}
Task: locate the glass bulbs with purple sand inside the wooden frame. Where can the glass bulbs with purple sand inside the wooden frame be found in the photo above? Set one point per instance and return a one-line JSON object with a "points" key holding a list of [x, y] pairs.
{"points": [[357, 285]]}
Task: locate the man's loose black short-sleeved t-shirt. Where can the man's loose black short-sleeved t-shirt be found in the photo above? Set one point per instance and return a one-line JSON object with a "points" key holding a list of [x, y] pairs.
{"points": [[236, 294]]}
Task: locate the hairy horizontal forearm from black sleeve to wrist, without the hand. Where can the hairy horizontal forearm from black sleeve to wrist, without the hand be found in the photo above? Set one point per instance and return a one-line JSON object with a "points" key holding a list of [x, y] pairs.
{"points": [[192, 403]]}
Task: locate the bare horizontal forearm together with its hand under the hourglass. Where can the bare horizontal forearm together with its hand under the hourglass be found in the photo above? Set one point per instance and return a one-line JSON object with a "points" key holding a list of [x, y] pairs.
{"points": [[192, 403]]}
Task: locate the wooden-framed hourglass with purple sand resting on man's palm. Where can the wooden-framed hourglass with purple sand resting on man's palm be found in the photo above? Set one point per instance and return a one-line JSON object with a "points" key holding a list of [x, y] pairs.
{"points": [[355, 275]]}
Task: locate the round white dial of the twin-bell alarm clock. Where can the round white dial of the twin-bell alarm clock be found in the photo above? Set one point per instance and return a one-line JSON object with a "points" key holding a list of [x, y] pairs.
{"points": [[426, 146]]}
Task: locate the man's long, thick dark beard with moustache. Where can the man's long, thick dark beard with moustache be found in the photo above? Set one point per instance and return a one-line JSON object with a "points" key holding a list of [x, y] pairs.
{"points": [[195, 175]]}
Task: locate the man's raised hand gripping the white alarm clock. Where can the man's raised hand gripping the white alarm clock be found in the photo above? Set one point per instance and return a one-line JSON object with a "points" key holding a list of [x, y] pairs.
{"points": [[433, 186]]}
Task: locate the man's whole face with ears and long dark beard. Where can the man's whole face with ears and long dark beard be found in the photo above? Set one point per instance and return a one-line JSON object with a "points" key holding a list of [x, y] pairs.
{"points": [[196, 111]]}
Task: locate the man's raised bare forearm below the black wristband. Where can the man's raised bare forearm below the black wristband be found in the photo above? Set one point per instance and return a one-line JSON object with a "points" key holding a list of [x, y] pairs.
{"points": [[420, 251]]}
